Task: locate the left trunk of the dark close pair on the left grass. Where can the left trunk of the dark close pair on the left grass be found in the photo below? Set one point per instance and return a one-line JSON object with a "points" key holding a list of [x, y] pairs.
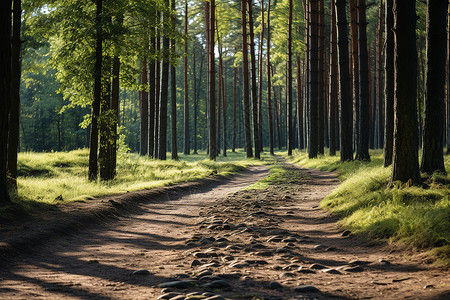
{"points": [[93, 145]]}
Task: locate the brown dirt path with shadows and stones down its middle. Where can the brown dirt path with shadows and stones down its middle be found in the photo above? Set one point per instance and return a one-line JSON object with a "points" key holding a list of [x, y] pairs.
{"points": [[216, 239]]}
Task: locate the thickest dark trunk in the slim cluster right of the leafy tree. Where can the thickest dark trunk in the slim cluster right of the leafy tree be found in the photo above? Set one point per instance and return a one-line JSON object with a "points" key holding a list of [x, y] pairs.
{"points": [[162, 130]]}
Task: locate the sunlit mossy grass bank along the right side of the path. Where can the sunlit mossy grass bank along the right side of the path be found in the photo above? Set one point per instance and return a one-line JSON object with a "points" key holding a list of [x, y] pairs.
{"points": [[414, 216]]}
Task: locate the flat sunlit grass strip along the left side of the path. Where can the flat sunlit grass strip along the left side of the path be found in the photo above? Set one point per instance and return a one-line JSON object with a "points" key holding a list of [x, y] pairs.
{"points": [[52, 178]]}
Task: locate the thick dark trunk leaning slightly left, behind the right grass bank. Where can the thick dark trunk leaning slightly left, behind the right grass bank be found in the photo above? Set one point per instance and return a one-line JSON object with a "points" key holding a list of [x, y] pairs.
{"points": [[345, 103]]}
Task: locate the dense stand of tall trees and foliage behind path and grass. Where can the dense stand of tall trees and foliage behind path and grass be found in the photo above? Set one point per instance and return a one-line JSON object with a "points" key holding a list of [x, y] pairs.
{"points": [[158, 76]]}
